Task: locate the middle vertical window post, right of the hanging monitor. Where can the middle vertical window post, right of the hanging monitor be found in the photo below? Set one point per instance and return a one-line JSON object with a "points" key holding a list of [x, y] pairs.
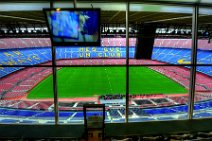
{"points": [[127, 61]]}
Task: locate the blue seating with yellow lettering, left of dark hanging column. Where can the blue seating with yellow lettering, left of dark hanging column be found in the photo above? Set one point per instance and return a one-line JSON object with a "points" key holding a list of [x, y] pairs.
{"points": [[33, 56]]}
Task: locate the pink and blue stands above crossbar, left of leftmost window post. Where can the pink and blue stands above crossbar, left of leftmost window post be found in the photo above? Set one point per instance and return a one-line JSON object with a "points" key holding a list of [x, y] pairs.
{"points": [[25, 51]]}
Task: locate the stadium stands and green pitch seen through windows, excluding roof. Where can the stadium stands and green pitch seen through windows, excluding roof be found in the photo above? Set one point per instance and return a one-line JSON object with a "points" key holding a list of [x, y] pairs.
{"points": [[27, 93]]}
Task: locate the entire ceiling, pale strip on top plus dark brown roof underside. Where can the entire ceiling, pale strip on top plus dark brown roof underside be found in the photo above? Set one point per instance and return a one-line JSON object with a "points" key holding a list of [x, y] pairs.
{"points": [[31, 12]]}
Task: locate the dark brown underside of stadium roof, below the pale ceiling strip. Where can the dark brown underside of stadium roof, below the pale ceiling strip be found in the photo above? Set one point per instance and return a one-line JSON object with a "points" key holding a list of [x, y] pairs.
{"points": [[108, 17]]}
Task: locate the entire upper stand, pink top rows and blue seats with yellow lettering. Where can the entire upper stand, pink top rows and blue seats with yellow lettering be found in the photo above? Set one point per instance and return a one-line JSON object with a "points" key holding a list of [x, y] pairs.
{"points": [[31, 51]]}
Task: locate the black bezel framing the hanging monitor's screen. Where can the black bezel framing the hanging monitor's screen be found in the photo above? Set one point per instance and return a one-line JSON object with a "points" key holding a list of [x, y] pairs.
{"points": [[63, 43]]}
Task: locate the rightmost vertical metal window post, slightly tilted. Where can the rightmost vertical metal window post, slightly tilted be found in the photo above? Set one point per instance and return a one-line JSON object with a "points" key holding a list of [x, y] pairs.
{"points": [[193, 61]]}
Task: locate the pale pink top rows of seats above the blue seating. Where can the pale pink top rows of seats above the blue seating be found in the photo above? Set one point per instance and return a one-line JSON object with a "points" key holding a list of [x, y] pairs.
{"points": [[9, 43]]}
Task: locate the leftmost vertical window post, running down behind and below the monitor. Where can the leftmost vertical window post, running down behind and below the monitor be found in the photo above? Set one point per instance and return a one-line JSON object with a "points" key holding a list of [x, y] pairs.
{"points": [[54, 71]]}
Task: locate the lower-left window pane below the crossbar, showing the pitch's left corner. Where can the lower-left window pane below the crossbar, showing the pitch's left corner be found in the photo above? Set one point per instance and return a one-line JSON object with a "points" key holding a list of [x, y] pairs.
{"points": [[25, 97]]}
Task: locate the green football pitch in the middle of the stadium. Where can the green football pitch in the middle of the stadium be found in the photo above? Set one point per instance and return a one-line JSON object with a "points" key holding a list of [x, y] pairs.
{"points": [[91, 81]]}
